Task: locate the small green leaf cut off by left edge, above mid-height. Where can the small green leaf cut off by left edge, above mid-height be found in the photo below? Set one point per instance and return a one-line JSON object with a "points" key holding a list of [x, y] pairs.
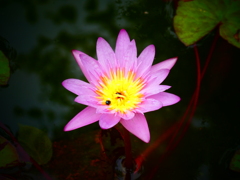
{"points": [[4, 69]]}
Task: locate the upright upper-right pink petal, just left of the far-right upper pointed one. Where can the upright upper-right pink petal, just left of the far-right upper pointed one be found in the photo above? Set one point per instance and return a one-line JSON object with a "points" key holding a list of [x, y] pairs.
{"points": [[145, 59]]}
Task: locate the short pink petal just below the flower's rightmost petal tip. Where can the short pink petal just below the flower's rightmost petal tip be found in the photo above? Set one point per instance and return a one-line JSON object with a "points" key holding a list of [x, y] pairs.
{"points": [[150, 104]]}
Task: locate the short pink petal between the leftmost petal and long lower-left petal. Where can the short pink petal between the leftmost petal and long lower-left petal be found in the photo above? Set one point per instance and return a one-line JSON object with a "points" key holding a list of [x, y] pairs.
{"points": [[87, 100]]}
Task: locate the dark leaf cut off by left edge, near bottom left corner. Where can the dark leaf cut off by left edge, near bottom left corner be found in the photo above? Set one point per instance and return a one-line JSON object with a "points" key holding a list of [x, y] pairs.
{"points": [[8, 154]]}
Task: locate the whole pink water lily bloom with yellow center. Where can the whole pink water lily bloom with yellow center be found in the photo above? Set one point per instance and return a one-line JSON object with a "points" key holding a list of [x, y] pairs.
{"points": [[122, 87]]}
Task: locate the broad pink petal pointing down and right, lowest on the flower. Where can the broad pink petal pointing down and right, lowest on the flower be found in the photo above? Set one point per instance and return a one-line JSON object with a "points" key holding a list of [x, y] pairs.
{"points": [[138, 126]]}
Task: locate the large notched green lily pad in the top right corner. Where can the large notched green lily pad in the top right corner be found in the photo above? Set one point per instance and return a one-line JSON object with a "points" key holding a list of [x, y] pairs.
{"points": [[194, 19]]}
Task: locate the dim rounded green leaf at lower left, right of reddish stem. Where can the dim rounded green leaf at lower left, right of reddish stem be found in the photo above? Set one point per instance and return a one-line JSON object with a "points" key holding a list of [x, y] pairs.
{"points": [[36, 143]]}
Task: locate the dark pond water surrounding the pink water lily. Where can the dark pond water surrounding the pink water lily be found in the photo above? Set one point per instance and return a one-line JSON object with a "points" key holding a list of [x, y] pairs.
{"points": [[38, 36]]}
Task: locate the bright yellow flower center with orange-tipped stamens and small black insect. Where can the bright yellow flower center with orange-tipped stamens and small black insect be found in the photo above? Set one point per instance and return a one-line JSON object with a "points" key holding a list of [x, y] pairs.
{"points": [[120, 91]]}
